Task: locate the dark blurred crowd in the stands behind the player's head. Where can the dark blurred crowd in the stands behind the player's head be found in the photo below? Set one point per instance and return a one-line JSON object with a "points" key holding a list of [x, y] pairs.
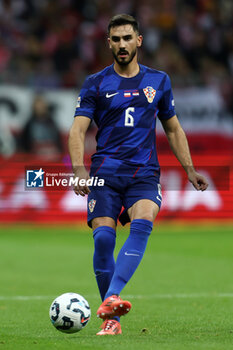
{"points": [[56, 43]]}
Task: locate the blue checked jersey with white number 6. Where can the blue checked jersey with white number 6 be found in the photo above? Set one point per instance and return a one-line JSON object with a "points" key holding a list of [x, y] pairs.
{"points": [[125, 111]]}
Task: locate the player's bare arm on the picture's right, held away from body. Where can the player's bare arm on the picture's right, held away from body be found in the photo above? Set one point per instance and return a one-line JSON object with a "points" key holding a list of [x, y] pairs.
{"points": [[179, 145]]}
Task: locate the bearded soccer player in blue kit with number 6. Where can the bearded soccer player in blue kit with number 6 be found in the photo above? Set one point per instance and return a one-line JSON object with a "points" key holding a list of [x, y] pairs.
{"points": [[125, 100]]}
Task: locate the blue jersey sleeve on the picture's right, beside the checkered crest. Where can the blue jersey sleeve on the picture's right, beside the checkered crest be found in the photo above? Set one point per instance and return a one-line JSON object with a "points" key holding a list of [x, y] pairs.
{"points": [[166, 105]]}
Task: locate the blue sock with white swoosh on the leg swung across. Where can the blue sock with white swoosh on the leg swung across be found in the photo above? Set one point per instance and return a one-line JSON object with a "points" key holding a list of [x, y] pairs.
{"points": [[130, 255]]}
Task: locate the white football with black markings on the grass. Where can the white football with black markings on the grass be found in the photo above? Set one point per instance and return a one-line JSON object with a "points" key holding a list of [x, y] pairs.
{"points": [[70, 313]]}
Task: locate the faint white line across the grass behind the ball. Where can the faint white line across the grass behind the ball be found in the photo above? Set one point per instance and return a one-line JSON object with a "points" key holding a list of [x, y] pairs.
{"points": [[127, 296]]}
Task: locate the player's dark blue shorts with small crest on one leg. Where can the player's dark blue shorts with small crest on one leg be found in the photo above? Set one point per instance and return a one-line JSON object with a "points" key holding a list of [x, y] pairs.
{"points": [[118, 192]]}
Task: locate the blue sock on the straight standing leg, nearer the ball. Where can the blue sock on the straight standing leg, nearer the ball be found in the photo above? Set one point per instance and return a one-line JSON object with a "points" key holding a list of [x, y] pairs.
{"points": [[103, 260]]}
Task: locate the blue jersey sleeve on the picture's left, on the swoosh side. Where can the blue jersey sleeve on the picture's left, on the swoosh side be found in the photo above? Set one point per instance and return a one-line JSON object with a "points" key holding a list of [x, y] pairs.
{"points": [[86, 102]]}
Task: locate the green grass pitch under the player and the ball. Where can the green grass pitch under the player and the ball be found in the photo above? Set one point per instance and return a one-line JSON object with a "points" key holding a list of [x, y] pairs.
{"points": [[181, 294]]}
